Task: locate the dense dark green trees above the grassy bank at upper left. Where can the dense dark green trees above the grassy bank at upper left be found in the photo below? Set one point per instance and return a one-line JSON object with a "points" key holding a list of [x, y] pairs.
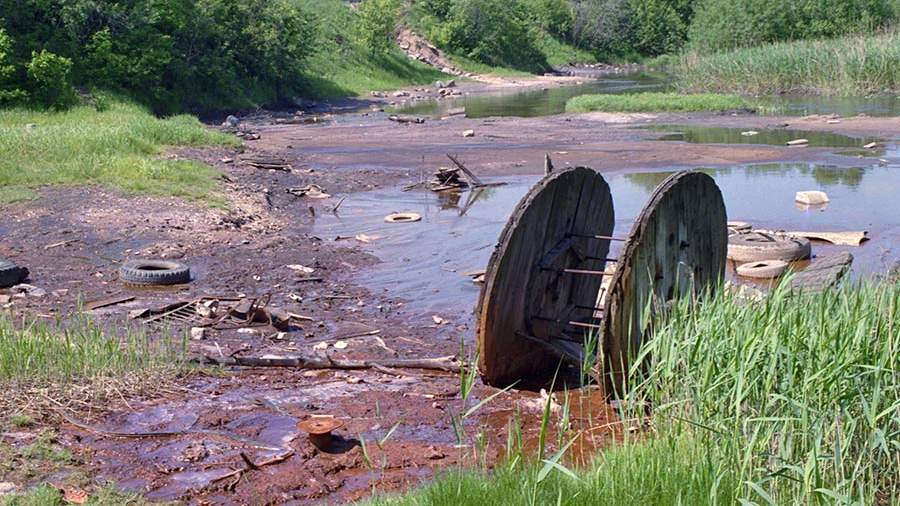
{"points": [[171, 55]]}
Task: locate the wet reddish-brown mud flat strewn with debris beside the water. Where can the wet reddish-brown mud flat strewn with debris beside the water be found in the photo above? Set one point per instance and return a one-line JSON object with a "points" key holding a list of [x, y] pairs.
{"points": [[245, 250]]}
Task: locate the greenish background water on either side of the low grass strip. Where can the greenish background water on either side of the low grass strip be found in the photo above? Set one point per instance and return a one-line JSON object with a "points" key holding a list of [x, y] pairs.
{"points": [[538, 102]]}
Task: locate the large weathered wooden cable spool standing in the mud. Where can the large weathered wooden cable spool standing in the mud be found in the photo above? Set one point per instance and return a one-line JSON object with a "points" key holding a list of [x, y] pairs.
{"points": [[542, 282]]}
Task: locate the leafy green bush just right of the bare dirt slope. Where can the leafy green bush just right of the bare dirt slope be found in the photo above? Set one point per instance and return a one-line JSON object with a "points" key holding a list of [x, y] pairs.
{"points": [[494, 32]]}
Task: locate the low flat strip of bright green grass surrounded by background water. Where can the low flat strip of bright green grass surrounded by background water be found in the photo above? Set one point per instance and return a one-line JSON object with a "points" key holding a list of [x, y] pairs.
{"points": [[659, 102]]}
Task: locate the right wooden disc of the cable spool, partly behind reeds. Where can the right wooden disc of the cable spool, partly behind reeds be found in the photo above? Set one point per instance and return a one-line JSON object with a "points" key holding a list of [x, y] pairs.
{"points": [[677, 247]]}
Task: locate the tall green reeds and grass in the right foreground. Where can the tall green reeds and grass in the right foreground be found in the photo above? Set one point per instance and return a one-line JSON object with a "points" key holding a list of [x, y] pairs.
{"points": [[792, 400]]}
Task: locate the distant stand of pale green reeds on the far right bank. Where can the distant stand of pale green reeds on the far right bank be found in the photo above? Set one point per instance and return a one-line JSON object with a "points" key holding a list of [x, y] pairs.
{"points": [[858, 65]]}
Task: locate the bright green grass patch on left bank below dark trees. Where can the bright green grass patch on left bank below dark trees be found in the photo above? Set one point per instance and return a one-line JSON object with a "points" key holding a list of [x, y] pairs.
{"points": [[118, 147]]}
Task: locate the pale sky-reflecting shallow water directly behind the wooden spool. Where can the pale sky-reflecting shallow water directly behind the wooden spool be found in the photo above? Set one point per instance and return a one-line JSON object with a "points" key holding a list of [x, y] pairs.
{"points": [[425, 262]]}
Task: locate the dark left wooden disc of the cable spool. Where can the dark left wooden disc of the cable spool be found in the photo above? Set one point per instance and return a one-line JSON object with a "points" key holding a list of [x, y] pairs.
{"points": [[542, 281]]}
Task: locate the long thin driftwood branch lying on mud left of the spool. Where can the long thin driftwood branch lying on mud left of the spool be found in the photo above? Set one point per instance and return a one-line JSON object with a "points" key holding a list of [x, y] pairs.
{"points": [[449, 364]]}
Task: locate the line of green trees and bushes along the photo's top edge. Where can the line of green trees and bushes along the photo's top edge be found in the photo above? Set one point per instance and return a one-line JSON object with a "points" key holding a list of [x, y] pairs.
{"points": [[212, 54]]}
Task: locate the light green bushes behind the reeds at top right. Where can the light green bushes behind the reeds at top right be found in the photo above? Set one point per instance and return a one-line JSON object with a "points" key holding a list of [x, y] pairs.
{"points": [[728, 24]]}
